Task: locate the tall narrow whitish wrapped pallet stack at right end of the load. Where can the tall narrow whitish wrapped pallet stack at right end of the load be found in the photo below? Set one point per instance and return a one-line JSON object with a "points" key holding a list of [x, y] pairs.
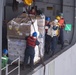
{"points": [[41, 38]]}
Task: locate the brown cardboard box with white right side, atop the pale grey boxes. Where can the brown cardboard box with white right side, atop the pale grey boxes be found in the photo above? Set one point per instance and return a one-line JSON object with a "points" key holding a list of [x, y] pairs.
{"points": [[20, 31]]}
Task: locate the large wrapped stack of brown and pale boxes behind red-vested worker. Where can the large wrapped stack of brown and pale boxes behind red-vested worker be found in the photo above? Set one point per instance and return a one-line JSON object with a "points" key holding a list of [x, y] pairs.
{"points": [[17, 29]]}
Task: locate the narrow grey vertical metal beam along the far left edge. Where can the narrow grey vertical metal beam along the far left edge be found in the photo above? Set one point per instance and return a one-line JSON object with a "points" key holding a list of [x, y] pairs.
{"points": [[1, 18]]}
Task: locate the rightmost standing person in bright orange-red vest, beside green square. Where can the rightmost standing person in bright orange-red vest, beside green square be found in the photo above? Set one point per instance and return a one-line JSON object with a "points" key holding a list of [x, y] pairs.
{"points": [[61, 25]]}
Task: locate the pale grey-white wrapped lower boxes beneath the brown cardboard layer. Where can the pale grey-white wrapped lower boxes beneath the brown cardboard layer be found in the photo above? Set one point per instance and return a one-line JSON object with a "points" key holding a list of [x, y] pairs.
{"points": [[16, 48]]}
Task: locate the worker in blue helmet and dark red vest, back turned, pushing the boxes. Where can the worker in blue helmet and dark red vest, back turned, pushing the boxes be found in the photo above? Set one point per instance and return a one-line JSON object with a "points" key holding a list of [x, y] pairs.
{"points": [[31, 42]]}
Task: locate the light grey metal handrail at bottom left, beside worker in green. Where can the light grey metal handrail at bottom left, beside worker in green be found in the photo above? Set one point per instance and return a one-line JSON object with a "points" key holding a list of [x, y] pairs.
{"points": [[18, 67]]}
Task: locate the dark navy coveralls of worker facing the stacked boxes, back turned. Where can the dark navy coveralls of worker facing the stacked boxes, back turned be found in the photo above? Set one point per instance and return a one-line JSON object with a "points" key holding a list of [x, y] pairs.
{"points": [[30, 52]]}
